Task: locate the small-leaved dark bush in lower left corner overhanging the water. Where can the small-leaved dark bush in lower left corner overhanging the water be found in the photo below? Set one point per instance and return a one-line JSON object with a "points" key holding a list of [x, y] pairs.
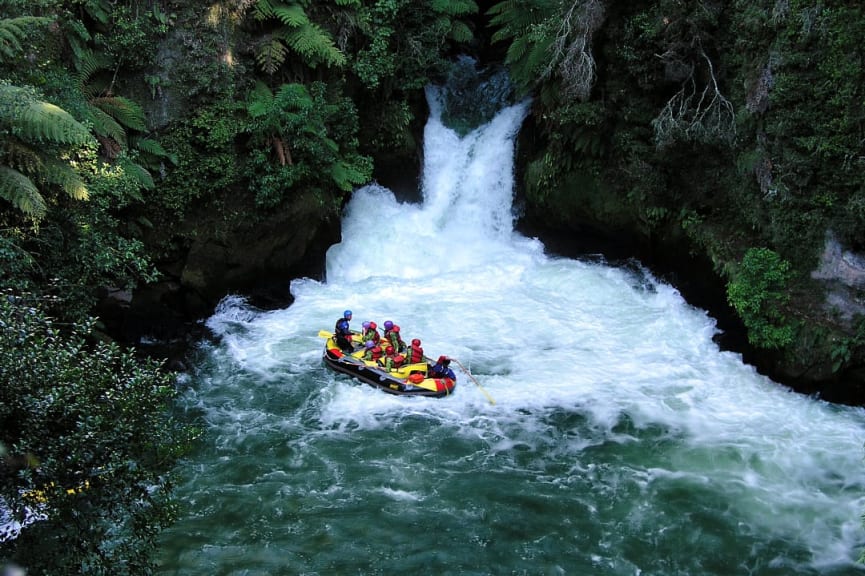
{"points": [[89, 433]]}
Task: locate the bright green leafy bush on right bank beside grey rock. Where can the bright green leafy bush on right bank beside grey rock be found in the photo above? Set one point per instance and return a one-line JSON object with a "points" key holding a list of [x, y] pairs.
{"points": [[757, 290]]}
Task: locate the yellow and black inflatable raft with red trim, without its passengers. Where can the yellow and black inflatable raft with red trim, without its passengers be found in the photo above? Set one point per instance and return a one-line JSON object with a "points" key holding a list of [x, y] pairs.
{"points": [[407, 380]]}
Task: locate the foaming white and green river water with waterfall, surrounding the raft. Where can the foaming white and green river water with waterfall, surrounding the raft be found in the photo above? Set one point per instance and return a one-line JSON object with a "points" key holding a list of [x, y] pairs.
{"points": [[601, 432]]}
